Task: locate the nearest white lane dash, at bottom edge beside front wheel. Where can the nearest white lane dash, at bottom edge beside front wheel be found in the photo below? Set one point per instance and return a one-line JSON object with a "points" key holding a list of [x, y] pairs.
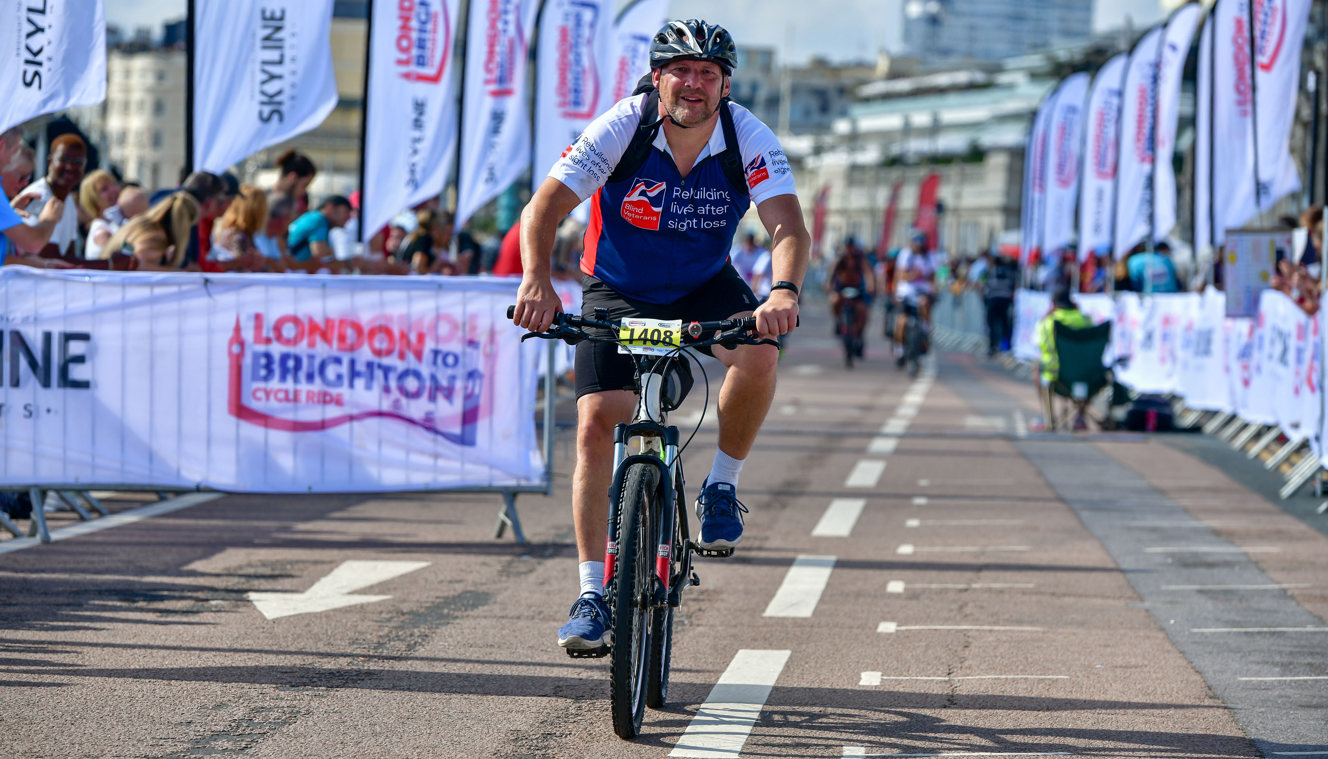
{"points": [[723, 724]]}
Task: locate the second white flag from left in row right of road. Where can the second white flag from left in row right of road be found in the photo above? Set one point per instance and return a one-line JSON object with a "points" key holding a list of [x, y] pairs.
{"points": [[1066, 148]]}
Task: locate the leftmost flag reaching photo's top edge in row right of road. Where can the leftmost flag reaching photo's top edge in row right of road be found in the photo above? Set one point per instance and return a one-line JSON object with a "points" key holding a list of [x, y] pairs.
{"points": [[1176, 48]]}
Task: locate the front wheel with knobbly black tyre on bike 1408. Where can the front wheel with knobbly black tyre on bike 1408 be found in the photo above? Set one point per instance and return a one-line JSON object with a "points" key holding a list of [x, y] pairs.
{"points": [[633, 623]]}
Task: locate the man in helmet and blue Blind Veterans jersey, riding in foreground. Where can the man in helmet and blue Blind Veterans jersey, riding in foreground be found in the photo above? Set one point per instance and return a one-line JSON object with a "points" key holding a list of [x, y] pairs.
{"points": [[658, 247]]}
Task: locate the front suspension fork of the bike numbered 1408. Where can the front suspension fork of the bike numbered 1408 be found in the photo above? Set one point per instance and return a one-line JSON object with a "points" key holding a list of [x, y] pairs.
{"points": [[643, 443]]}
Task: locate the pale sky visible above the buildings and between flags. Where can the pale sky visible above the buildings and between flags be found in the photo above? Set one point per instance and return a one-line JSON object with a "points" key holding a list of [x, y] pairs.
{"points": [[841, 31]]}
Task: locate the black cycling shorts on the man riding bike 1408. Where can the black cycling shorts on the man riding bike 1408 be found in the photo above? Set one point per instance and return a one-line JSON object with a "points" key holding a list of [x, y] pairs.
{"points": [[601, 367]]}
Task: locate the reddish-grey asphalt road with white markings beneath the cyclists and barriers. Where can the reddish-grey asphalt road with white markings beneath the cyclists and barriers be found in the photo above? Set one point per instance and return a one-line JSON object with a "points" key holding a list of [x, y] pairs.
{"points": [[920, 578]]}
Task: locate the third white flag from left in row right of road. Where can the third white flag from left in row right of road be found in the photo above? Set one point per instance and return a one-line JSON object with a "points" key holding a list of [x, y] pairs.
{"points": [[1098, 184]]}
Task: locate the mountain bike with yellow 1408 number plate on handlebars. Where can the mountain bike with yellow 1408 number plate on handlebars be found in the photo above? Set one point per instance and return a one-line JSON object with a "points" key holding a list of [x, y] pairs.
{"points": [[650, 550]]}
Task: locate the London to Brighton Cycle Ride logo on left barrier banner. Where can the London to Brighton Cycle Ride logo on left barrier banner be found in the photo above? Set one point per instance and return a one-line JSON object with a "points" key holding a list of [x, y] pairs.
{"points": [[307, 374]]}
